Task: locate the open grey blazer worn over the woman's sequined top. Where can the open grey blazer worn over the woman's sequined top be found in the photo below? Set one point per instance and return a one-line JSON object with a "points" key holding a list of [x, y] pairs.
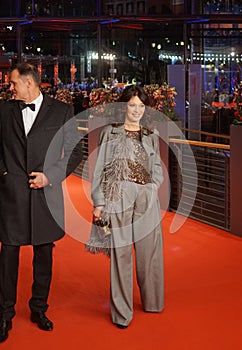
{"points": [[150, 141]]}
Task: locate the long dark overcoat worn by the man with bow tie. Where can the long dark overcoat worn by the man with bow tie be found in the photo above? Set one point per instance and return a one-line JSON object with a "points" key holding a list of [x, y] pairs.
{"points": [[29, 216]]}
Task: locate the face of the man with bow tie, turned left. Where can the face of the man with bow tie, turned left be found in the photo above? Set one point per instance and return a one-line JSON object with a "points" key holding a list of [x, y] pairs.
{"points": [[18, 86]]}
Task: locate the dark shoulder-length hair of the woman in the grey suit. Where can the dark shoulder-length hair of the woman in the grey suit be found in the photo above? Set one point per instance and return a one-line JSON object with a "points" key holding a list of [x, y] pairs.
{"points": [[132, 91]]}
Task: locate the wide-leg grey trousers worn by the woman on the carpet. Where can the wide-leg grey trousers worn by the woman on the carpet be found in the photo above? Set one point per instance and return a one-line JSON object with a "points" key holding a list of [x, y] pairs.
{"points": [[136, 219]]}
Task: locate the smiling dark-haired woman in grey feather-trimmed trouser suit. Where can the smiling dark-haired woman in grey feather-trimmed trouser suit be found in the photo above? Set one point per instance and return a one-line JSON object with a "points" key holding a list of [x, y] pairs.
{"points": [[125, 184]]}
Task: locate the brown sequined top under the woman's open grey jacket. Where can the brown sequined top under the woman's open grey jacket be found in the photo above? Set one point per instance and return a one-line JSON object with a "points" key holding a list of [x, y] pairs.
{"points": [[139, 167]]}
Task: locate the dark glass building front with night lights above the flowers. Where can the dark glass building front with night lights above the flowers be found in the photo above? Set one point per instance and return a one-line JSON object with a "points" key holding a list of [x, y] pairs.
{"points": [[133, 38]]}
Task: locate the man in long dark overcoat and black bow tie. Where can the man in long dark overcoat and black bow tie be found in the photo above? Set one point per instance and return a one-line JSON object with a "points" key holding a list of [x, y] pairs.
{"points": [[39, 147]]}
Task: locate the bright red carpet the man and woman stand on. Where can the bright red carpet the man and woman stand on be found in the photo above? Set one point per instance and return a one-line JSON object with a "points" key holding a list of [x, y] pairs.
{"points": [[203, 298]]}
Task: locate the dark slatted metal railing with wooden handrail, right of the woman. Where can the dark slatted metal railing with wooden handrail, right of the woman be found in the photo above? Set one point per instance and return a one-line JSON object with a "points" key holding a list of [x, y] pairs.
{"points": [[202, 191]]}
